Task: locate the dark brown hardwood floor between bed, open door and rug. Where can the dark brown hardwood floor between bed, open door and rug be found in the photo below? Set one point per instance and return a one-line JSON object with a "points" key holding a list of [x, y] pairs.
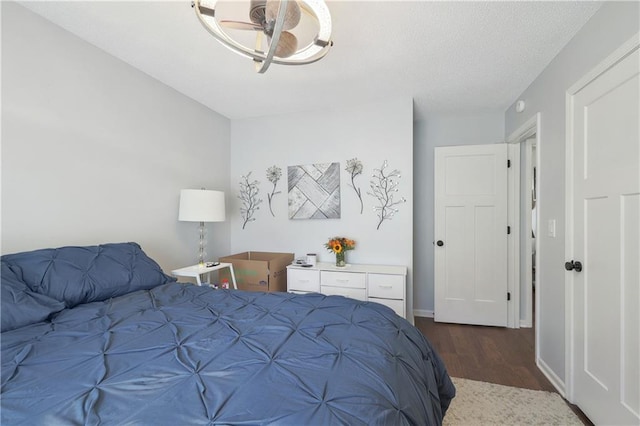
{"points": [[498, 355]]}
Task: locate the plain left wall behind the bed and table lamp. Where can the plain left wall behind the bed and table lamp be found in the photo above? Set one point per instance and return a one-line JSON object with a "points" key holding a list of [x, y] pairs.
{"points": [[96, 151]]}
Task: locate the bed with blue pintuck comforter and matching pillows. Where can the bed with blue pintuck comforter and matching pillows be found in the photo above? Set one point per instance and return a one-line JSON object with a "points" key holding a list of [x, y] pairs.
{"points": [[100, 335]]}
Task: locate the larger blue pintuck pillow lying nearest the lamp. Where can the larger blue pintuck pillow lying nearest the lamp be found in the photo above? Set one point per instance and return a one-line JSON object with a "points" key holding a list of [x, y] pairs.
{"points": [[75, 275]]}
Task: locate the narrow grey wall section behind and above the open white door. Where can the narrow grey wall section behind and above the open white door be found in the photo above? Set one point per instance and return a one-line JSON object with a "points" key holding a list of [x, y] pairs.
{"points": [[440, 130]]}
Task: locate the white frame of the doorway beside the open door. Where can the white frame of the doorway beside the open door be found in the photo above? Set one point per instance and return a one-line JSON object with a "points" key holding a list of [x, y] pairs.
{"points": [[528, 130]]}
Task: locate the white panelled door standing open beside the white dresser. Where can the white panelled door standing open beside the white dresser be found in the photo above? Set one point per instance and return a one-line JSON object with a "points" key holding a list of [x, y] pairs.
{"points": [[471, 234]]}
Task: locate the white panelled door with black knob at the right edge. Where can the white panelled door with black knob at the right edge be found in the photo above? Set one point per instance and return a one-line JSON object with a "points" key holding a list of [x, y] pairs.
{"points": [[604, 215]]}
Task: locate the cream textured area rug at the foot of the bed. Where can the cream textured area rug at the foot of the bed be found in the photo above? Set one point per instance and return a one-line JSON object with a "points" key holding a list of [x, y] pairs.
{"points": [[482, 403]]}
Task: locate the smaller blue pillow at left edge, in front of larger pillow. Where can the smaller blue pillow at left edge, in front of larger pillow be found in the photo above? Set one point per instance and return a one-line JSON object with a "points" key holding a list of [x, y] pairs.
{"points": [[19, 305]]}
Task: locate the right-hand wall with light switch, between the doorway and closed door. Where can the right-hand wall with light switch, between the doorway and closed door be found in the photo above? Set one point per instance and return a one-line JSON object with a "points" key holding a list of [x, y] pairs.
{"points": [[611, 26]]}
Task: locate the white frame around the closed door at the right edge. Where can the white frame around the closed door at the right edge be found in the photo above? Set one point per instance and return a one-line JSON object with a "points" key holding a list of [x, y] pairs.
{"points": [[618, 55]]}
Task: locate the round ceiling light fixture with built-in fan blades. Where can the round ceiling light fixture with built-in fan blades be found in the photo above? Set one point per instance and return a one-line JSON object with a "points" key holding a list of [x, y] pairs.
{"points": [[276, 20]]}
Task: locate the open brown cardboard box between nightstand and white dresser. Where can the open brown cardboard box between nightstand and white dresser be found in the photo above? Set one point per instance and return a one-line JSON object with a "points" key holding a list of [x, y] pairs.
{"points": [[258, 270]]}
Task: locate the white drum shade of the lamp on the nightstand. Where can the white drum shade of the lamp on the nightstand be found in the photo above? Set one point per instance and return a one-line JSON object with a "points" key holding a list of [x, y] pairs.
{"points": [[201, 205]]}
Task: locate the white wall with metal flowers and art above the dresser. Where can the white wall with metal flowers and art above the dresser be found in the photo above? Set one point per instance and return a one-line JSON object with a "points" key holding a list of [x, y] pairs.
{"points": [[373, 133]]}
